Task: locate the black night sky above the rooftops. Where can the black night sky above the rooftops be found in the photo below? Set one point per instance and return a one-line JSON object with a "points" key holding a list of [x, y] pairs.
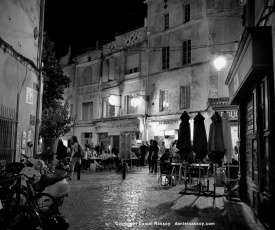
{"points": [[81, 23]]}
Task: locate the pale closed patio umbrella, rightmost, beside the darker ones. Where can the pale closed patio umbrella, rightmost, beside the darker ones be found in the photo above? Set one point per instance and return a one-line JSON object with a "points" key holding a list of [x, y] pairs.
{"points": [[227, 139]]}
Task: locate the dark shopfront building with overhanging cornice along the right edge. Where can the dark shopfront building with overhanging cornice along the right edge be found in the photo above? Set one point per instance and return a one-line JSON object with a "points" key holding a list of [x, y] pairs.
{"points": [[251, 87]]}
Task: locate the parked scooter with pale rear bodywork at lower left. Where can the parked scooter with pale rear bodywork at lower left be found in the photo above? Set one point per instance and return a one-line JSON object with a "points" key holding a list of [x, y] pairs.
{"points": [[47, 181]]}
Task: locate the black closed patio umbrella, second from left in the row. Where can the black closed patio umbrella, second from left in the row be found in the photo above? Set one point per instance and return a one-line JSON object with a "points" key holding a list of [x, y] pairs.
{"points": [[199, 137]]}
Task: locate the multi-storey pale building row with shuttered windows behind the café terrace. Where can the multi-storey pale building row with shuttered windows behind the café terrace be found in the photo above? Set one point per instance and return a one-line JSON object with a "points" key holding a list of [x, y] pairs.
{"points": [[155, 73]]}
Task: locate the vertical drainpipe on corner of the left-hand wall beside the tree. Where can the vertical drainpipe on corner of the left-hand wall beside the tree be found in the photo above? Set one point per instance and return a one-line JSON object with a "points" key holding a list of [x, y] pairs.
{"points": [[40, 90]]}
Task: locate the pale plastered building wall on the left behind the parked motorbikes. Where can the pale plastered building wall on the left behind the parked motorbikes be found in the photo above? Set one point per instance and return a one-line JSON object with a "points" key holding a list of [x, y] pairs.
{"points": [[20, 23]]}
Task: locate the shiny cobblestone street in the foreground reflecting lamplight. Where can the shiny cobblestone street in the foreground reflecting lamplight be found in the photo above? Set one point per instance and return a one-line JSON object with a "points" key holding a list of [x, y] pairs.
{"points": [[102, 200]]}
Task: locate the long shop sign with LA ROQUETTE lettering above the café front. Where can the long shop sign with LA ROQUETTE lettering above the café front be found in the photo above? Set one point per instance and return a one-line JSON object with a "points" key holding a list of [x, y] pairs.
{"points": [[118, 126]]}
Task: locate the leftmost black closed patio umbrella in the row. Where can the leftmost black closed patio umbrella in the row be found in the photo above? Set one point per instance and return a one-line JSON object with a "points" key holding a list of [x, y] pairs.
{"points": [[184, 139]]}
